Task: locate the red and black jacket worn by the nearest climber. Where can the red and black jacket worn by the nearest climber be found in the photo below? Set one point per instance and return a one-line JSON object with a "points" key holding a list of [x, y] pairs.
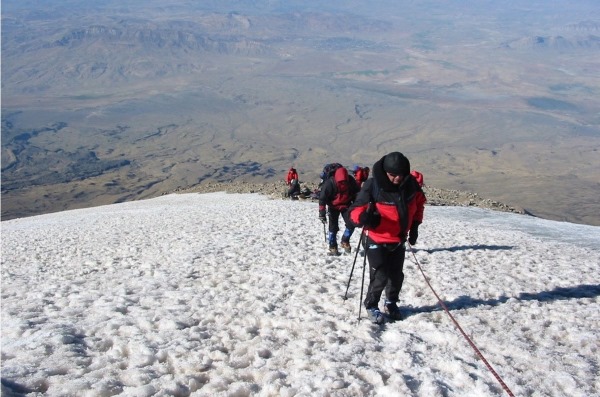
{"points": [[399, 205]]}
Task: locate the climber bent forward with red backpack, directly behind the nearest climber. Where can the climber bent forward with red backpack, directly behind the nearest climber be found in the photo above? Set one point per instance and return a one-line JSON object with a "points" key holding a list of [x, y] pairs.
{"points": [[337, 193]]}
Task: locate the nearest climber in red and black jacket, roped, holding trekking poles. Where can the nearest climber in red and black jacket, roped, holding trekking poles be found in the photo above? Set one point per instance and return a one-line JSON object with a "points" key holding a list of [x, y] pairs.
{"points": [[390, 208]]}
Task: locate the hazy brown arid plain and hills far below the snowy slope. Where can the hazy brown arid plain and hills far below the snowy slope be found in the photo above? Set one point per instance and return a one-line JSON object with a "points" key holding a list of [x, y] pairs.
{"points": [[105, 103]]}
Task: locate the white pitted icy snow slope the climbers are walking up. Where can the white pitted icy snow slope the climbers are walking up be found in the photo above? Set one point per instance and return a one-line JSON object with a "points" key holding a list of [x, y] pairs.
{"points": [[232, 295]]}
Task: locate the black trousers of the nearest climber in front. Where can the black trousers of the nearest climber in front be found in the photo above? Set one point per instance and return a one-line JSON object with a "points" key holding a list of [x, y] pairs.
{"points": [[386, 265]]}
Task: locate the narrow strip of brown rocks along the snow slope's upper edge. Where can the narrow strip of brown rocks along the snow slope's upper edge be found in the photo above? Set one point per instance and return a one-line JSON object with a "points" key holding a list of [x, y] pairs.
{"points": [[276, 190]]}
